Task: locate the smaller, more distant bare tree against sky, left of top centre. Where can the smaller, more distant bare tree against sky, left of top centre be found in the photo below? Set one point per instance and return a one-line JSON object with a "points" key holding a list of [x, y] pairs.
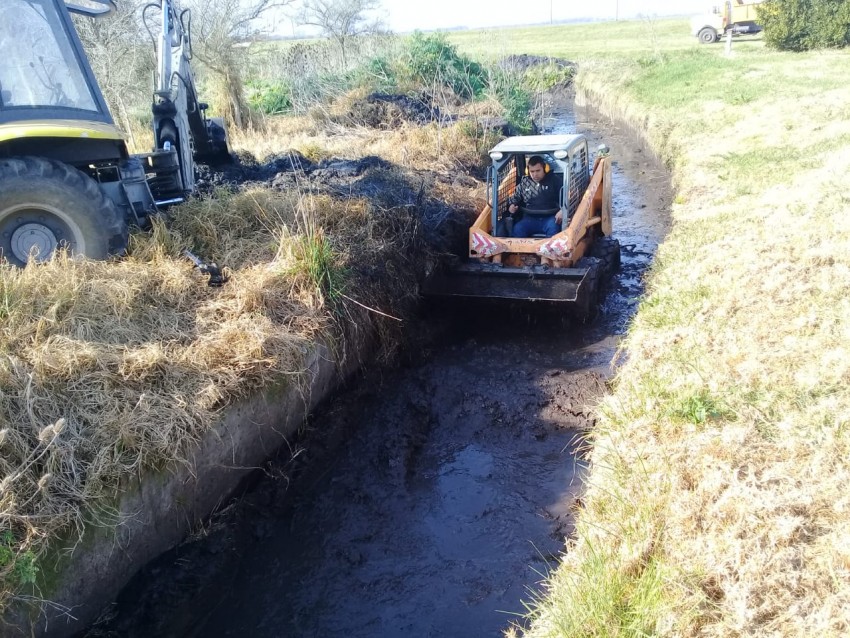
{"points": [[341, 20]]}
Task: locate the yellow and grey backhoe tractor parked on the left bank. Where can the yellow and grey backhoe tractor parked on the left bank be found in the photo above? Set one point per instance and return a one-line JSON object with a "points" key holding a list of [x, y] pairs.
{"points": [[67, 179]]}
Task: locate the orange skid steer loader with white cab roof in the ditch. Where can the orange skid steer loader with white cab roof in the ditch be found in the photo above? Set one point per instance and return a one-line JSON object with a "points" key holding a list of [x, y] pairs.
{"points": [[567, 267]]}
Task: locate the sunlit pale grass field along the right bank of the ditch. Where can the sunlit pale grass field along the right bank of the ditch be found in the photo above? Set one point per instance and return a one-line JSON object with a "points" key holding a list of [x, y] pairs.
{"points": [[717, 502]]}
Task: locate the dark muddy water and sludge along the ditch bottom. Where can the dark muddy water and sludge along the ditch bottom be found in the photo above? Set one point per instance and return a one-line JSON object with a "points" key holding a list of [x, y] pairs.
{"points": [[429, 500]]}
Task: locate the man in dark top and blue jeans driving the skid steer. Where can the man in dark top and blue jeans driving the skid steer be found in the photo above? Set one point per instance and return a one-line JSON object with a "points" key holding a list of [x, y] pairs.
{"points": [[536, 197]]}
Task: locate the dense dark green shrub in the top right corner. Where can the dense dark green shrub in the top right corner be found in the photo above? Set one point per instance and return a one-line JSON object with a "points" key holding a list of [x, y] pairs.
{"points": [[802, 25]]}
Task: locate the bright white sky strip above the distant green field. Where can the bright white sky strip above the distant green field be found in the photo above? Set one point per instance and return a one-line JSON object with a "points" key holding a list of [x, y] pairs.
{"points": [[408, 15]]}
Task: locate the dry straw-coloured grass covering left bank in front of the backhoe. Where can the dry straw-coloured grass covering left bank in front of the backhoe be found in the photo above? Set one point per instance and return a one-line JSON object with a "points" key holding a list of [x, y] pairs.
{"points": [[110, 368]]}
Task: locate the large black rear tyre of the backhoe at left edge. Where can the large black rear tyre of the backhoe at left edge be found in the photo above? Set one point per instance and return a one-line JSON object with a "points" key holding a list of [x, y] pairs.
{"points": [[45, 205]]}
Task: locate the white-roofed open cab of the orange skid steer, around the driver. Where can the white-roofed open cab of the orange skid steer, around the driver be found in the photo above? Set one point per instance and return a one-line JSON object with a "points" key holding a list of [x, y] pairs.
{"points": [[566, 157]]}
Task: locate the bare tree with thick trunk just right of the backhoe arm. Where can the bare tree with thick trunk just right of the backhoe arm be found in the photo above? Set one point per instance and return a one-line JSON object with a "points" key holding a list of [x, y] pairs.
{"points": [[220, 28]]}
